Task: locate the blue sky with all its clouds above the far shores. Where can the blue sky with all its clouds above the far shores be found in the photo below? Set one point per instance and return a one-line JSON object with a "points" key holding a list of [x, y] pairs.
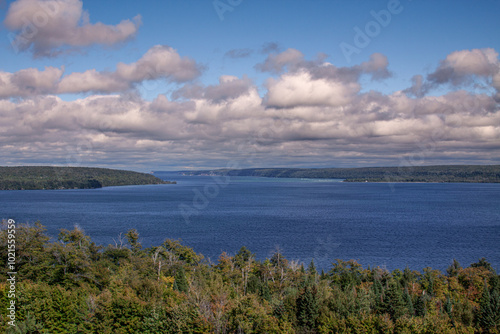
{"points": [[179, 85]]}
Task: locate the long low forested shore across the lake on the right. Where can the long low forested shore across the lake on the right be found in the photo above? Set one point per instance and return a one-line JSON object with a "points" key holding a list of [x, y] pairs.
{"points": [[451, 173]]}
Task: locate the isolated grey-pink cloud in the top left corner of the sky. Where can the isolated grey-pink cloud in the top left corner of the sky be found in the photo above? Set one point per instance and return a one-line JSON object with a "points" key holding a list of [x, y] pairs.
{"points": [[49, 27]]}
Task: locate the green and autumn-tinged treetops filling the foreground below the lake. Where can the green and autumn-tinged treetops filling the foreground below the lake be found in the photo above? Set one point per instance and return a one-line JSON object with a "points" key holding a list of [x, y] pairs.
{"points": [[72, 285]]}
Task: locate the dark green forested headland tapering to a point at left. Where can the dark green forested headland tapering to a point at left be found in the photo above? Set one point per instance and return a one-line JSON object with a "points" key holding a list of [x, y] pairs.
{"points": [[44, 177]]}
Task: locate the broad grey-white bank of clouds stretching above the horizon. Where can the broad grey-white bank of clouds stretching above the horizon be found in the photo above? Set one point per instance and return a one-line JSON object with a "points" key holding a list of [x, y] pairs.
{"points": [[308, 113]]}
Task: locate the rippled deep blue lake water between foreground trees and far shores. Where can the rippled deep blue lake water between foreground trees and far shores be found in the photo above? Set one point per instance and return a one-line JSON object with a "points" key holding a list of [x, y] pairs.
{"points": [[392, 226]]}
